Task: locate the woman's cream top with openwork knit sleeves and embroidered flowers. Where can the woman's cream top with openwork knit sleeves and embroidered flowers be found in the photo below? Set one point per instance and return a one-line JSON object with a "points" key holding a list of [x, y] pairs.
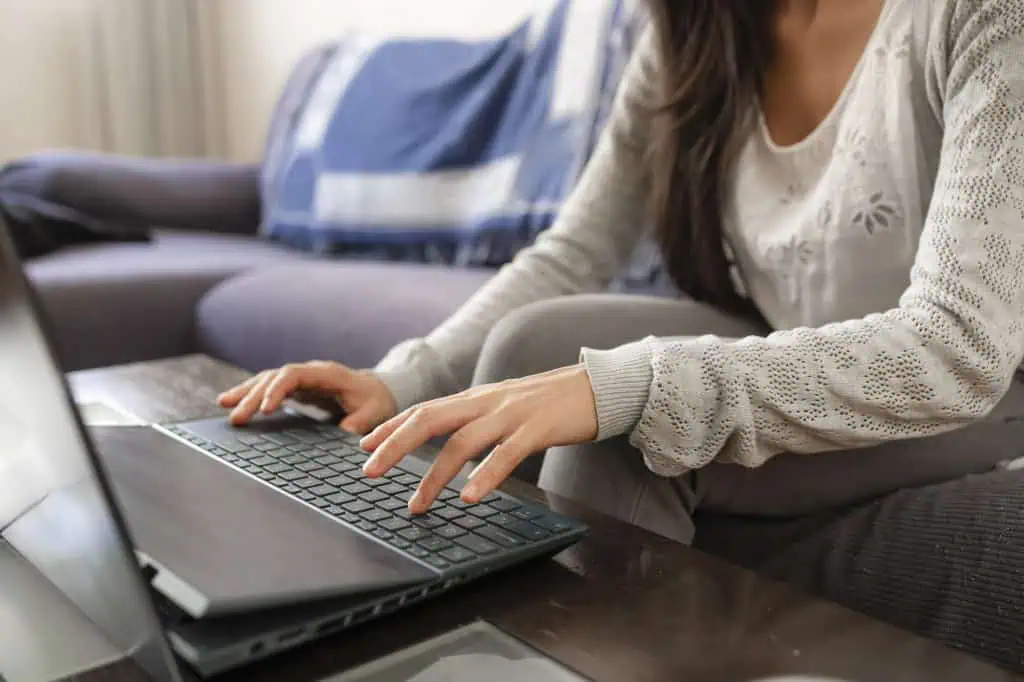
{"points": [[888, 246]]}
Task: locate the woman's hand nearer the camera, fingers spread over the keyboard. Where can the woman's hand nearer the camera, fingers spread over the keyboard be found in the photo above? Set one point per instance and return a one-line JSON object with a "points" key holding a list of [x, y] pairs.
{"points": [[518, 418]]}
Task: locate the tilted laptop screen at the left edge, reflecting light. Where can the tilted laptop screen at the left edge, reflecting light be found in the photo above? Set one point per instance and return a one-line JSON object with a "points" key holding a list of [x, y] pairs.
{"points": [[56, 508]]}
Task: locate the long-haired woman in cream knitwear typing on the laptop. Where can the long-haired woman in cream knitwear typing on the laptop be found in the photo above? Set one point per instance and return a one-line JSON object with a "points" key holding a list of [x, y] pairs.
{"points": [[848, 173]]}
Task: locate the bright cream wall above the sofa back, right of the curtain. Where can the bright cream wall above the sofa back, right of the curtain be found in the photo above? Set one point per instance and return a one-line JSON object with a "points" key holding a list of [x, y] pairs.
{"points": [[253, 45]]}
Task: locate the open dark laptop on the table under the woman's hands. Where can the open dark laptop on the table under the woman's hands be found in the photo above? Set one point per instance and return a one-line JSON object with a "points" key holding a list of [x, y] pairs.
{"points": [[248, 541]]}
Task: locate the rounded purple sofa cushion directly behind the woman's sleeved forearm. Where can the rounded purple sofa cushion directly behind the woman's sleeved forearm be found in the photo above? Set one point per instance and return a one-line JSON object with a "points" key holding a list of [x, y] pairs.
{"points": [[352, 313]]}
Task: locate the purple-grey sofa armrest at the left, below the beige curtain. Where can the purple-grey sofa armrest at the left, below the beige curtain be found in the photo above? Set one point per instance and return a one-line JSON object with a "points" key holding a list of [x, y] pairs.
{"points": [[194, 195]]}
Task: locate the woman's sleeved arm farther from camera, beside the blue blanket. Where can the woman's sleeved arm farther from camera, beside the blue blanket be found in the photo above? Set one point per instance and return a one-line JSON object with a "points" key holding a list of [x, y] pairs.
{"points": [[595, 234]]}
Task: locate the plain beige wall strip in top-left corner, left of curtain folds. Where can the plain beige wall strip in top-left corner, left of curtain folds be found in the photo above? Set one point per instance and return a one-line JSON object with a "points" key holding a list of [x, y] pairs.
{"points": [[45, 76]]}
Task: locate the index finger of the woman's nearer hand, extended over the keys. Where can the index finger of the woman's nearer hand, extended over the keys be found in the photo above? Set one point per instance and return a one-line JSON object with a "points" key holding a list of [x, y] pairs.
{"points": [[440, 418]]}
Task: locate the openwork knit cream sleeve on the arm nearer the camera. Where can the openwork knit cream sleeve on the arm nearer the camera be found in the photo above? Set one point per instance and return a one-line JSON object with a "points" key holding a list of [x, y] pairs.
{"points": [[942, 360]]}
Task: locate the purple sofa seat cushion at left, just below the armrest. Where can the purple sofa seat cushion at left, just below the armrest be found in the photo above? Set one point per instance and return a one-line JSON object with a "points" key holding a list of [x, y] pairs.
{"points": [[112, 304]]}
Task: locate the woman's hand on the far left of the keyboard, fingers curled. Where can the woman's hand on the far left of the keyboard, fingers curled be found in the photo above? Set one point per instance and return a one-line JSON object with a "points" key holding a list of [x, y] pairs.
{"points": [[365, 399]]}
